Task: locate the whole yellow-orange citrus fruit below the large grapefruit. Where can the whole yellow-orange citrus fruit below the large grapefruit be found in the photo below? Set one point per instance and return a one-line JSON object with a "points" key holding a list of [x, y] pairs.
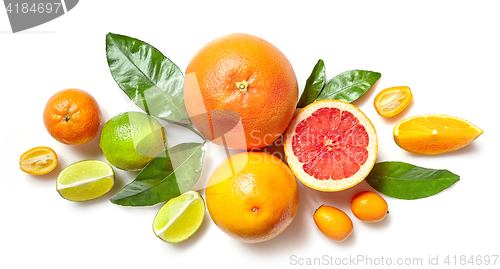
{"points": [[252, 196]]}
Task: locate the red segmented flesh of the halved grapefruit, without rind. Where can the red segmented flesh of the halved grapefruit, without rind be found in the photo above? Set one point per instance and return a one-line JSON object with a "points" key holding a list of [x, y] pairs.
{"points": [[330, 144]]}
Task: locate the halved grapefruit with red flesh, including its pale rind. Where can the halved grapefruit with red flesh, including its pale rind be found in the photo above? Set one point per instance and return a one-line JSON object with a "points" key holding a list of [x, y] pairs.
{"points": [[331, 145]]}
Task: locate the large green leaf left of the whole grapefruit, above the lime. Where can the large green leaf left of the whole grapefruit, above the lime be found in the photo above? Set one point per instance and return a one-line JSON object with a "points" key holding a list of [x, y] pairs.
{"points": [[149, 79]]}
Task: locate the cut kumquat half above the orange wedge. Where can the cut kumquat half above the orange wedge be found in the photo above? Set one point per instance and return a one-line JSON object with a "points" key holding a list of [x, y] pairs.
{"points": [[391, 101]]}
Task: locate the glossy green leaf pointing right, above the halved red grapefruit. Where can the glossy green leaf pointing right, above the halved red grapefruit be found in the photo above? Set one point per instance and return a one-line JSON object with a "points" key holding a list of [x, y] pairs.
{"points": [[349, 85]]}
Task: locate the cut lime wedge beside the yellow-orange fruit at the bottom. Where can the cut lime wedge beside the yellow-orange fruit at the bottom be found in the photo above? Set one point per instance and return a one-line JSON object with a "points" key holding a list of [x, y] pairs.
{"points": [[180, 217]]}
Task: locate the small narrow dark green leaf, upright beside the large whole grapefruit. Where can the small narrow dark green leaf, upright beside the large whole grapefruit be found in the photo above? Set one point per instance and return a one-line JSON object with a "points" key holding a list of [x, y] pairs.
{"points": [[314, 85]]}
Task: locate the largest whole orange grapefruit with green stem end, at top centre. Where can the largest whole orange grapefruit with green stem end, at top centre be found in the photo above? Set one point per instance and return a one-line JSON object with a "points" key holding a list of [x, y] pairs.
{"points": [[240, 91]]}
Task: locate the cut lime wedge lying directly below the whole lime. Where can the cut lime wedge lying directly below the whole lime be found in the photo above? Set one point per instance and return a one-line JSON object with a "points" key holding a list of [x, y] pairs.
{"points": [[85, 180]]}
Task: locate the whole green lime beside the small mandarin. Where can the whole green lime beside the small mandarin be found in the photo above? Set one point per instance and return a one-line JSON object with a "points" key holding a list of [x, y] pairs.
{"points": [[130, 140]]}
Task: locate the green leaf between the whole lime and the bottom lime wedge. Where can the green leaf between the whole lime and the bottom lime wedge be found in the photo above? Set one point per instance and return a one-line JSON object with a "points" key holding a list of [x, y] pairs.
{"points": [[171, 173]]}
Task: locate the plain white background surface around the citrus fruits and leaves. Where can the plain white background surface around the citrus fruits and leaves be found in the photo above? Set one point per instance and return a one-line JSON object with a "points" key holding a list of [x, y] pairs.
{"points": [[447, 52]]}
